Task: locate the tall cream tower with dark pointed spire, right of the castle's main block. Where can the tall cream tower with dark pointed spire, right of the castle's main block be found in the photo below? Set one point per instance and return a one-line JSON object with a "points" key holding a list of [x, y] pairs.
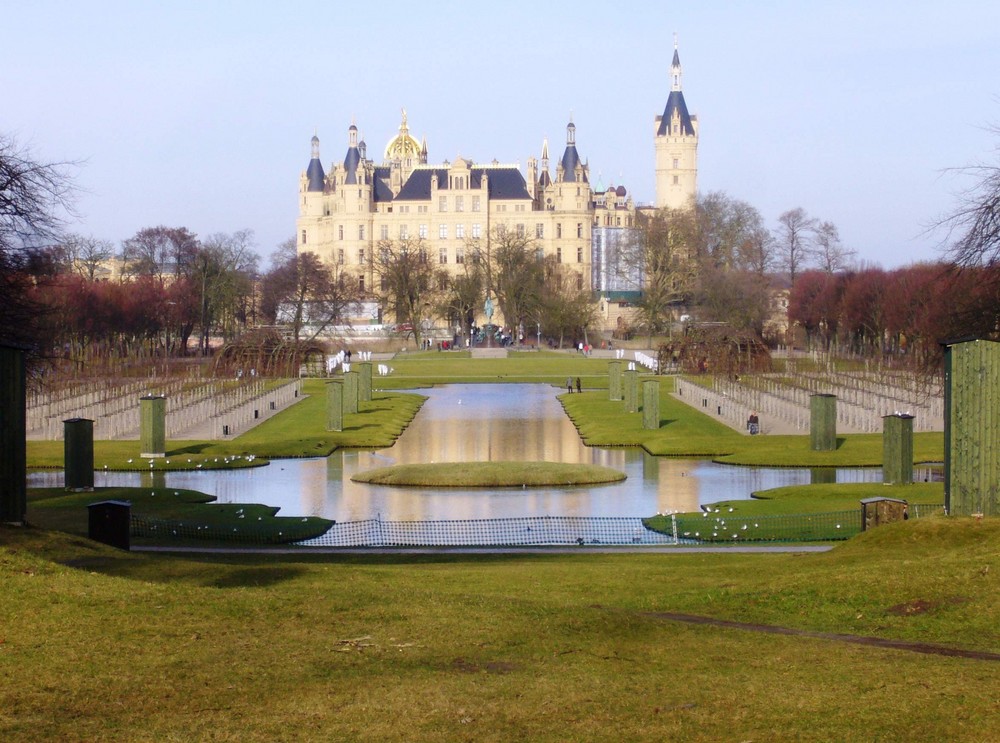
{"points": [[675, 140]]}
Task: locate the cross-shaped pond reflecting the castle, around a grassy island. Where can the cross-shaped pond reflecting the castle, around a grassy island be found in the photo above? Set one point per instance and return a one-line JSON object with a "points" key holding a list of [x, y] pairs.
{"points": [[470, 423]]}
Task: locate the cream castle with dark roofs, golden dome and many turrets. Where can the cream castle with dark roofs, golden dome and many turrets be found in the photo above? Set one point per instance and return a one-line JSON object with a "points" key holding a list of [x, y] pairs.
{"points": [[345, 211]]}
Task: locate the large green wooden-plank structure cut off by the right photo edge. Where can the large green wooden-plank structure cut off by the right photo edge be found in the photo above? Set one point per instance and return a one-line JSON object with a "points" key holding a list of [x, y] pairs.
{"points": [[971, 432]]}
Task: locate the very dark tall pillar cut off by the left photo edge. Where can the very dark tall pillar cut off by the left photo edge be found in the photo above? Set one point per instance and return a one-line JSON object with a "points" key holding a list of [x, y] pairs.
{"points": [[13, 430]]}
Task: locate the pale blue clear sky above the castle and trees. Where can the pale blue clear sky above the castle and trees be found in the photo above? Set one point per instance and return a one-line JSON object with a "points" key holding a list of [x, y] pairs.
{"points": [[200, 114]]}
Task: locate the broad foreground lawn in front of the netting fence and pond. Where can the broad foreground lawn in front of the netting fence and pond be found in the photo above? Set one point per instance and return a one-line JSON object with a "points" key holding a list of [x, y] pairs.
{"points": [[97, 644]]}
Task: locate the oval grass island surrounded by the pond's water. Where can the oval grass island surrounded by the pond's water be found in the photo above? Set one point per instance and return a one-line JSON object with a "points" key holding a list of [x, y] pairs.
{"points": [[490, 474]]}
